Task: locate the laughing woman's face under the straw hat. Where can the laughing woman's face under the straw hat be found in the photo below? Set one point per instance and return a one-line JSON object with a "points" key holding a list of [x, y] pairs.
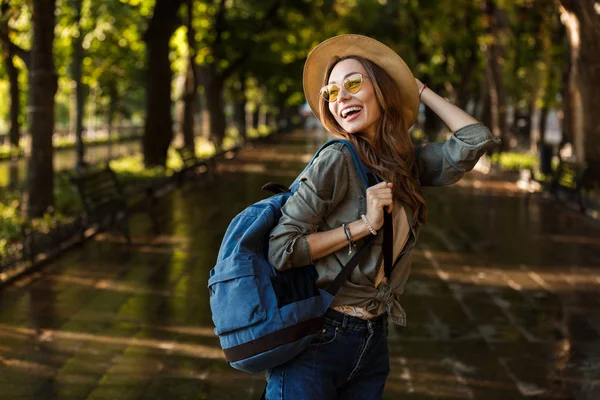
{"points": [[359, 112]]}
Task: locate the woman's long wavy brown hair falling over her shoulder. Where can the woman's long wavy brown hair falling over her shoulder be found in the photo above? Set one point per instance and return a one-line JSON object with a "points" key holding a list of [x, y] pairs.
{"points": [[392, 155]]}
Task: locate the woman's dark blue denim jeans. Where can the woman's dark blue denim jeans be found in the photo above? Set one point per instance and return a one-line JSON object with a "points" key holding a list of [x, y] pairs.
{"points": [[349, 360]]}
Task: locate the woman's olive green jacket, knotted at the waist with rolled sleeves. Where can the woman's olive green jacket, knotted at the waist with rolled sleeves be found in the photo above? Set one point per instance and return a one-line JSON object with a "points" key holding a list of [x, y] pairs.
{"points": [[332, 193]]}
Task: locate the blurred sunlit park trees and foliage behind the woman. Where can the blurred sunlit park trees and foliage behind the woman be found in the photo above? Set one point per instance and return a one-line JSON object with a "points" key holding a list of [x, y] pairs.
{"points": [[212, 73]]}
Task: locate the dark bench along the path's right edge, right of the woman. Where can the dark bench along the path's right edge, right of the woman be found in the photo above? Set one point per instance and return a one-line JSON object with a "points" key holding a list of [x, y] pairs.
{"points": [[566, 183]]}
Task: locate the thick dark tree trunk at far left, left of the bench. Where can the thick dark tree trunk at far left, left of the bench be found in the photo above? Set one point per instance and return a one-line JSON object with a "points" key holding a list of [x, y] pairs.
{"points": [[42, 88]]}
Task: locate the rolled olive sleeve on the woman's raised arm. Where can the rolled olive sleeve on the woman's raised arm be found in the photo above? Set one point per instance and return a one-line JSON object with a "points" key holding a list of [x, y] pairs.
{"points": [[441, 164]]}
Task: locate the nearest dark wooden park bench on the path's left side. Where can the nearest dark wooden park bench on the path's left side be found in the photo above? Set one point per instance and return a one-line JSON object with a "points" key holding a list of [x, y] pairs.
{"points": [[105, 202]]}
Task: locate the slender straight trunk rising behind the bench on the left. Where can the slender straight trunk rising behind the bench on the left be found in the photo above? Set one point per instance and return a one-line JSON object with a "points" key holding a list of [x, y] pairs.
{"points": [[77, 116]]}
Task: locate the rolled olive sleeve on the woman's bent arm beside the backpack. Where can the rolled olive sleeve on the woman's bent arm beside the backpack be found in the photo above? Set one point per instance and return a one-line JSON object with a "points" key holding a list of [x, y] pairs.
{"points": [[322, 187]]}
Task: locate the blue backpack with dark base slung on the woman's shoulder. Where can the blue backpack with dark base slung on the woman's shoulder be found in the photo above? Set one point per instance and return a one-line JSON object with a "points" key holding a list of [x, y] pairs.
{"points": [[264, 317]]}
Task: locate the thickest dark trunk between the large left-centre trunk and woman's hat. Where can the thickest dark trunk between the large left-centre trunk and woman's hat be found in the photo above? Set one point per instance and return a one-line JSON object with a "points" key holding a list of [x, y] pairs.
{"points": [[213, 94]]}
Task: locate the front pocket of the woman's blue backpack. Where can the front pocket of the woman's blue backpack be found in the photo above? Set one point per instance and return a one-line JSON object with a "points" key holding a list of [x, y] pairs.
{"points": [[234, 297]]}
